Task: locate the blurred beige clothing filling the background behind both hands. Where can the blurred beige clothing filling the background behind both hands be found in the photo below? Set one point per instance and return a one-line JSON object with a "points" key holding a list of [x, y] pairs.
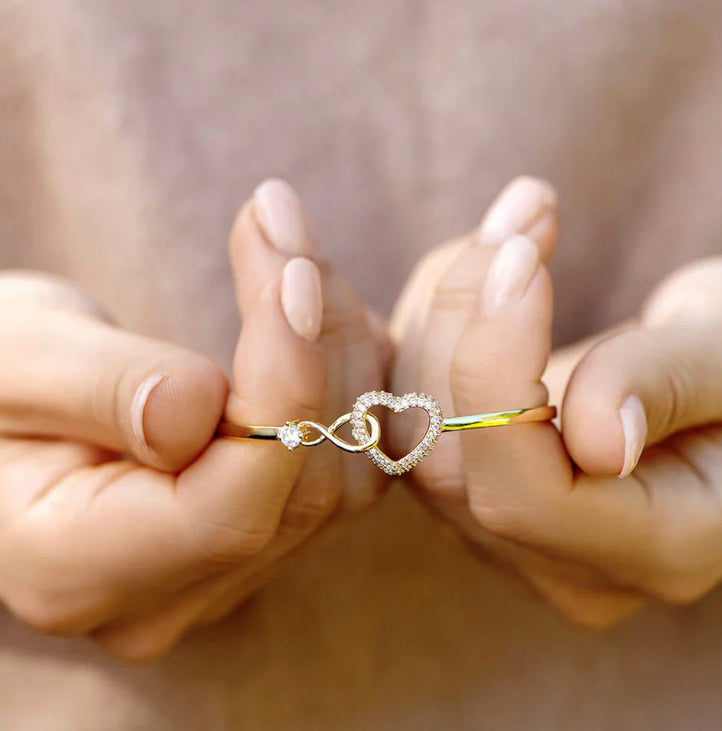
{"points": [[130, 131]]}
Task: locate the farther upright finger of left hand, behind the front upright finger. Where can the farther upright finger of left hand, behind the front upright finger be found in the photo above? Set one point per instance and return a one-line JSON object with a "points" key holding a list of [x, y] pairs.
{"points": [[270, 227]]}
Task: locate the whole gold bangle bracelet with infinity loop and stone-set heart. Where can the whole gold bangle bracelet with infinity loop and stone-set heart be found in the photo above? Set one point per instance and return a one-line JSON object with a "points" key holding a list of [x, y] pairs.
{"points": [[367, 429]]}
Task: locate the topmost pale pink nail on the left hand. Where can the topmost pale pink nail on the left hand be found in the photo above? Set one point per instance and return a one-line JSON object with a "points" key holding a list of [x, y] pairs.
{"points": [[280, 215]]}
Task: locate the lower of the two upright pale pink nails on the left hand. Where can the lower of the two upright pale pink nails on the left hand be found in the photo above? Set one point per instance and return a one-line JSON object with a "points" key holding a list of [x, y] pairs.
{"points": [[301, 298]]}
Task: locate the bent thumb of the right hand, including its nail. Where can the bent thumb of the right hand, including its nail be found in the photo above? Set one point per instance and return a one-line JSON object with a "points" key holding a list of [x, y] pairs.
{"points": [[639, 387]]}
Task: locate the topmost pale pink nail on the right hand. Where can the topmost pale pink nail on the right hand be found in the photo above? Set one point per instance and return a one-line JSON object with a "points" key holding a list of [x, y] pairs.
{"points": [[516, 210]]}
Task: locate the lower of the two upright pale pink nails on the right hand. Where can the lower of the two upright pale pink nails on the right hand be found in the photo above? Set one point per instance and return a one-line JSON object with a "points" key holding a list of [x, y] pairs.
{"points": [[510, 273]]}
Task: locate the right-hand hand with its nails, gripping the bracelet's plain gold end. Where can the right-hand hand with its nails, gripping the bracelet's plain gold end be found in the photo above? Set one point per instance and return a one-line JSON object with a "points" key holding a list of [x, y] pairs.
{"points": [[473, 329]]}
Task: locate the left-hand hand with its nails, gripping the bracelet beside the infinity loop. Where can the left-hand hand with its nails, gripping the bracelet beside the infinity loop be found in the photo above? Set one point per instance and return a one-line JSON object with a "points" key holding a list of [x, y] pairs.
{"points": [[121, 517]]}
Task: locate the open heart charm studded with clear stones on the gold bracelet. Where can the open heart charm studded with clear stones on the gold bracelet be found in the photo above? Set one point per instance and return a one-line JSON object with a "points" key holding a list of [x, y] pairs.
{"points": [[397, 404]]}
